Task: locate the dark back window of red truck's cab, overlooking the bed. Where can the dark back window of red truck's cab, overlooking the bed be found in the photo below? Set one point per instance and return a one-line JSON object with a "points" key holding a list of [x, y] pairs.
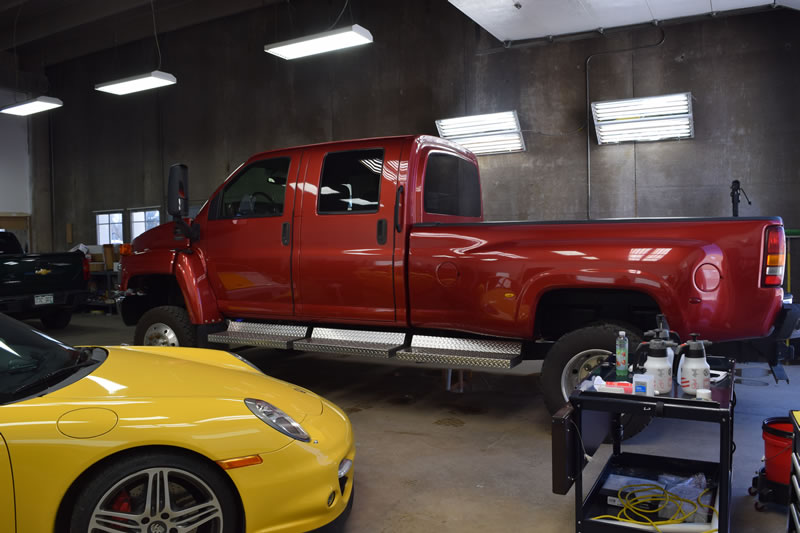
{"points": [[452, 186]]}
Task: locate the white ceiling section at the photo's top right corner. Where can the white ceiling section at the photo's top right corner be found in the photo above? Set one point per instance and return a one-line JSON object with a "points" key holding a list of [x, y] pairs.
{"points": [[517, 20]]}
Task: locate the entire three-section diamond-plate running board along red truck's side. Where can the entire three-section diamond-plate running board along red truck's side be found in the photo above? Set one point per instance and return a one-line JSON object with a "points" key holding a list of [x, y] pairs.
{"points": [[433, 351]]}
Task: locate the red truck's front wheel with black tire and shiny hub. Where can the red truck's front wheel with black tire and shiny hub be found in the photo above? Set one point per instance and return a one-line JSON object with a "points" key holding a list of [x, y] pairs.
{"points": [[167, 325]]}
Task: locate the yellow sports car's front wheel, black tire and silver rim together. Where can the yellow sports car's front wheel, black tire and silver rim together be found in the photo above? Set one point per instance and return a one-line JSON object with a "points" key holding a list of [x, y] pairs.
{"points": [[155, 493]]}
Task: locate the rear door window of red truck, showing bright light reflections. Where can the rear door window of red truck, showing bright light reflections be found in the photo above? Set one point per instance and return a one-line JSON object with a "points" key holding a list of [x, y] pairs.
{"points": [[350, 182]]}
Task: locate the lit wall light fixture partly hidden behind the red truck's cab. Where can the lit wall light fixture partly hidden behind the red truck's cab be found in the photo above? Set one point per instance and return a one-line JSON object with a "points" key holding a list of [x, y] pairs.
{"points": [[494, 133]]}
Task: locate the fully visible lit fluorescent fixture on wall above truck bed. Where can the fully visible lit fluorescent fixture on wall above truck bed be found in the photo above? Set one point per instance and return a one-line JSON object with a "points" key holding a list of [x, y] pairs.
{"points": [[655, 118]]}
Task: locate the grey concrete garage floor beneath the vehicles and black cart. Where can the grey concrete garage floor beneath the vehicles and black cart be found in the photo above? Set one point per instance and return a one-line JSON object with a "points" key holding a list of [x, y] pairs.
{"points": [[429, 460]]}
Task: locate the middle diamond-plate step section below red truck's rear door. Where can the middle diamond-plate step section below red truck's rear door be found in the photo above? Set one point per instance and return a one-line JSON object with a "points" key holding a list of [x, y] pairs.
{"points": [[367, 343]]}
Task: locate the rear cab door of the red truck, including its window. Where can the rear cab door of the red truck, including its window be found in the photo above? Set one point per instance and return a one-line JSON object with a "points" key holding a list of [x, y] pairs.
{"points": [[344, 262]]}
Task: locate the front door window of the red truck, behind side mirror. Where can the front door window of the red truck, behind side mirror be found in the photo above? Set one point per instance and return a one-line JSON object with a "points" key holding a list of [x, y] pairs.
{"points": [[257, 191]]}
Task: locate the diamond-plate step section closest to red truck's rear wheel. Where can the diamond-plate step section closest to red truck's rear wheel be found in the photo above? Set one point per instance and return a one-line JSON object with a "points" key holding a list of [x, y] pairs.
{"points": [[446, 352]]}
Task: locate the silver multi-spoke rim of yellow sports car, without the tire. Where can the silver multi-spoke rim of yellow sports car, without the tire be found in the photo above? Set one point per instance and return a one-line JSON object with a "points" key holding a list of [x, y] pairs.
{"points": [[158, 500]]}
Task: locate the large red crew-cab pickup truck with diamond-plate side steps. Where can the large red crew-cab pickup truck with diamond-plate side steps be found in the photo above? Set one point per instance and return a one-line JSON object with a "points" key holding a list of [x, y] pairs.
{"points": [[378, 248]]}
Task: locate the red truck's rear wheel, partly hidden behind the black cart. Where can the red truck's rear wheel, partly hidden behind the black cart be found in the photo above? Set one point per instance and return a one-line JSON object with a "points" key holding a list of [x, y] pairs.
{"points": [[575, 355]]}
